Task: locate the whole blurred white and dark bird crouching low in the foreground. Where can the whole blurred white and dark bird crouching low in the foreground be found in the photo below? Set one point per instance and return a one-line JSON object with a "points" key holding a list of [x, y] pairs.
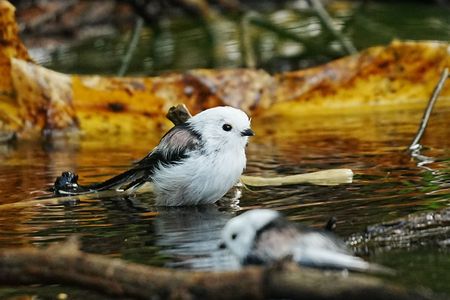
{"points": [[263, 236]]}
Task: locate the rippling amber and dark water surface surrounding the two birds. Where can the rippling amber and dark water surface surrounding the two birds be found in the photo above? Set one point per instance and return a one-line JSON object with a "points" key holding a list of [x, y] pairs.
{"points": [[388, 184]]}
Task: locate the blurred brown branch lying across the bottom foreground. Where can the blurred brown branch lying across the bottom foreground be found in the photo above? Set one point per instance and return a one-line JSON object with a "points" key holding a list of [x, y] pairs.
{"points": [[66, 264]]}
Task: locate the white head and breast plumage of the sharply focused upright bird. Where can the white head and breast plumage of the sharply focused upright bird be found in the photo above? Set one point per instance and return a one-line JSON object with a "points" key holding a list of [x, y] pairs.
{"points": [[210, 170]]}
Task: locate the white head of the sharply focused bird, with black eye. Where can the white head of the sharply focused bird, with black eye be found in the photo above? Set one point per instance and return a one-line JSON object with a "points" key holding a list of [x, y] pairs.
{"points": [[223, 125]]}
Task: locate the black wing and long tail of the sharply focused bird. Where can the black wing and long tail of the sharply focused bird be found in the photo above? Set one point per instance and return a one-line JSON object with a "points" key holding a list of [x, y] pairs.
{"points": [[174, 146]]}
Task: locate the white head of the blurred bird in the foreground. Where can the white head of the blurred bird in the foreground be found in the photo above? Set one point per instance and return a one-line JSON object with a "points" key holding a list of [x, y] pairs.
{"points": [[239, 233]]}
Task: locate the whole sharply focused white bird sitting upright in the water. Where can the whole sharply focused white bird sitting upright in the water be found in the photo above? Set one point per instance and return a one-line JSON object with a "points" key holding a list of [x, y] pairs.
{"points": [[196, 162]]}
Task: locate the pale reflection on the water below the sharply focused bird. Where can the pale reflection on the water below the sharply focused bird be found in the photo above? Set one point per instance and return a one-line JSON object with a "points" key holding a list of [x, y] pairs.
{"points": [[191, 235]]}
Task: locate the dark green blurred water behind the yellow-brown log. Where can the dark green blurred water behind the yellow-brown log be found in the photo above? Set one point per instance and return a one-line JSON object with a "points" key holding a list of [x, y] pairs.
{"points": [[287, 39]]}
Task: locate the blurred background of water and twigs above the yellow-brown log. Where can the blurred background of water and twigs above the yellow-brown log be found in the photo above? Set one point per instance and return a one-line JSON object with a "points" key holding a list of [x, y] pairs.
{"points": [[148, 37]]}
